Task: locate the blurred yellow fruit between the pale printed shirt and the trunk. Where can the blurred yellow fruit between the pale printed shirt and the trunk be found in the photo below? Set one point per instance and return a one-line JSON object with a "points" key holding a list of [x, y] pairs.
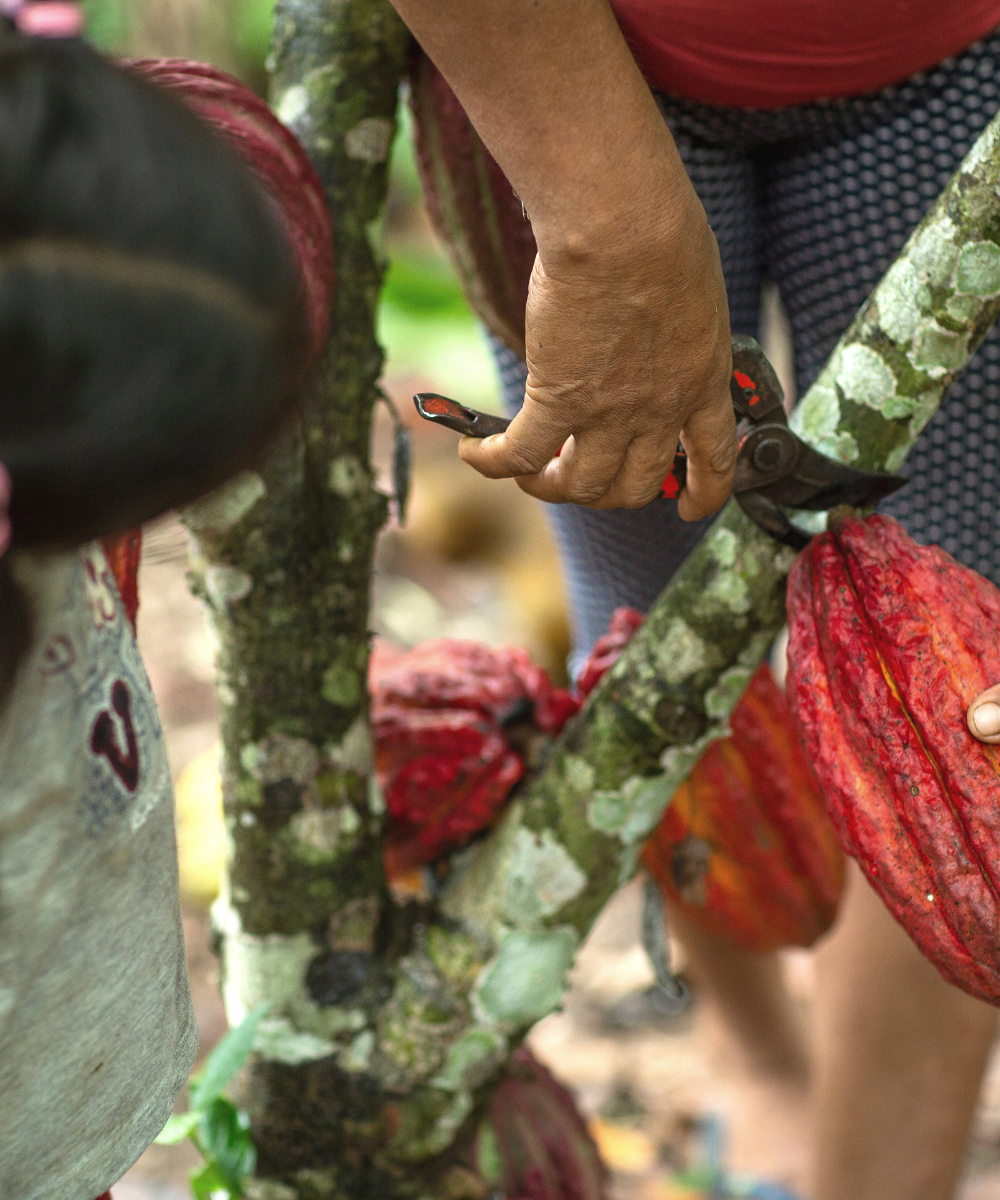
{"points": [[201, 827]]}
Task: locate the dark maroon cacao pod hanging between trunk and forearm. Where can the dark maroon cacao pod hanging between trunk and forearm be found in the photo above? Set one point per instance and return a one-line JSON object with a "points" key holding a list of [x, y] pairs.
{"points": [[472, 206]]}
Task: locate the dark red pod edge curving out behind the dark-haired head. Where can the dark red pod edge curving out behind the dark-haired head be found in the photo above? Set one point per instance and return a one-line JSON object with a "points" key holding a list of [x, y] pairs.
{"points": [[279, 161]]}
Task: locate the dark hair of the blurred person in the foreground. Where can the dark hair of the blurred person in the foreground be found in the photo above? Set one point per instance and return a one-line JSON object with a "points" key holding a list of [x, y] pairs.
{"points": [[152, 333]]}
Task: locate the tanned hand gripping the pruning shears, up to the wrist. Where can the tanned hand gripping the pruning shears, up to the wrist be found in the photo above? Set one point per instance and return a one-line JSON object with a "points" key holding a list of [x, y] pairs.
{"points": [[628, 347]]}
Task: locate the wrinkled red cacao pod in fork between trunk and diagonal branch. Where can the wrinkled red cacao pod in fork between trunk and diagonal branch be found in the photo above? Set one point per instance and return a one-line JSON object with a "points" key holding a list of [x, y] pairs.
{"points": [[440, 717]]}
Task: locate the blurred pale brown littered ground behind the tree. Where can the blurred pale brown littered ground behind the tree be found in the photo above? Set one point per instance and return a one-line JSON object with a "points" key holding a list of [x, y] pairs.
{"points": [[478, 563]]}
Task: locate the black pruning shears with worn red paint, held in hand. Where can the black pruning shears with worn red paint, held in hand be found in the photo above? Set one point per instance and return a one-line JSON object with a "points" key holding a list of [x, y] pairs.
{"points": [[775, 467]]}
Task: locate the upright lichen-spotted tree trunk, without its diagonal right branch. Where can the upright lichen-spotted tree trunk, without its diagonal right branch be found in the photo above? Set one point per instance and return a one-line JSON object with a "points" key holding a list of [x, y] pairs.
{"points": [[283, 559]]}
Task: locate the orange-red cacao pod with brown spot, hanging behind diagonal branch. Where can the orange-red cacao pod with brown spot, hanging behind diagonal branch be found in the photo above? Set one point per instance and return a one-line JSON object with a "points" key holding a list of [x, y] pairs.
{"points": [[745, 848]]}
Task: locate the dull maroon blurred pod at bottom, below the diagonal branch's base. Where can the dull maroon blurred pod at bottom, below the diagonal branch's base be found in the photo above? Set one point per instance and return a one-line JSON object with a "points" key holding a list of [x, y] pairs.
{"points": [[534, 1143]]}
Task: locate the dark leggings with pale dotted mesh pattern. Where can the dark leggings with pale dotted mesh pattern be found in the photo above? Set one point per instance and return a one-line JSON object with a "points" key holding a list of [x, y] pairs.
{"points": [[821, 199]]}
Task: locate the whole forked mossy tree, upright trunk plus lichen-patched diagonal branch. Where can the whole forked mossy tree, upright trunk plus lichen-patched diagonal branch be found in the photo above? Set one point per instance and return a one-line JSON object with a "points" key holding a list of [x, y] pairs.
{"points": [[388, 1025]]}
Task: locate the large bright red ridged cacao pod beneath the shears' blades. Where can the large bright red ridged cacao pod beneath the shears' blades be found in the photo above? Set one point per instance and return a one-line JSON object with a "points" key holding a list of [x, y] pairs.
{"points": [[890, 644]]}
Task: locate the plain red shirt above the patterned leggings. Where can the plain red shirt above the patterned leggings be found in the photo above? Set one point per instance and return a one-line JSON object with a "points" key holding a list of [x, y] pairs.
{"points": [[775, 53]]}
